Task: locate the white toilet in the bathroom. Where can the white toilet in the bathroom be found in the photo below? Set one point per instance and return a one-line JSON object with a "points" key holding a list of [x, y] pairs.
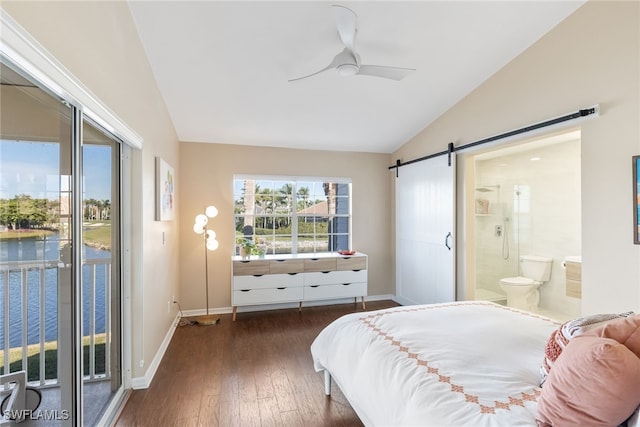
{"points": [[522, 291]]}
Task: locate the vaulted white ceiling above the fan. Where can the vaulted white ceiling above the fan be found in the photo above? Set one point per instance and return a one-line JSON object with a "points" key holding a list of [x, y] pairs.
{"points": [[223, 67]]}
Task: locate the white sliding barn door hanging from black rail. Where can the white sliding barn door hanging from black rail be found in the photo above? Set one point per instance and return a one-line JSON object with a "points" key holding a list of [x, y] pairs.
{"points": [[425, 220]]}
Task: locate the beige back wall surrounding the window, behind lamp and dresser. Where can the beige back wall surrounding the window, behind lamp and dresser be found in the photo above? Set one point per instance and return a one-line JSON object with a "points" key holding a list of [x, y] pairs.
{"points": [[207, 178]]}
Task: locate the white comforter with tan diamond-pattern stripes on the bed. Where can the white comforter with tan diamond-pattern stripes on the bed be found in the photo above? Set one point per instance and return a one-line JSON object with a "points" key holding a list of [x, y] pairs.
{"points": [[455, 364]]}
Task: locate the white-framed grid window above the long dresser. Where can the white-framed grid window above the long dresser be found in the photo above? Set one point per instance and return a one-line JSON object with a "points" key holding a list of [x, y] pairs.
{"points": [[288, 215]]}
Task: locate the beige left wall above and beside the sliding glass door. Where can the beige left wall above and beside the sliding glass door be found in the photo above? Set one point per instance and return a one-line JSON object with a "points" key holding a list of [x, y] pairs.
{"points": [[98, 43]]}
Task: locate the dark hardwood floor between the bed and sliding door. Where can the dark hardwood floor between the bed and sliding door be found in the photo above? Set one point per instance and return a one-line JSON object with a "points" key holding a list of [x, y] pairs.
{"points": [[256, 371]]}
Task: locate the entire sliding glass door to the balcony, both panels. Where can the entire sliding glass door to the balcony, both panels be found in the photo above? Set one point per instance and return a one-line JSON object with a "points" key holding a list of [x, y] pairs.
{"points": [[60, 280]]}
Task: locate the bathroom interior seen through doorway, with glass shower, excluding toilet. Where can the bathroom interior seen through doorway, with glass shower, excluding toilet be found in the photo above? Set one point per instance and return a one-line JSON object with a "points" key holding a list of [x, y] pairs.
{"points": [[525, 199]]}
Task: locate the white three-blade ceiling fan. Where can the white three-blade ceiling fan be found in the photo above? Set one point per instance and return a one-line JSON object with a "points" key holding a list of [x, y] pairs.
{"points": [[347, 62]]}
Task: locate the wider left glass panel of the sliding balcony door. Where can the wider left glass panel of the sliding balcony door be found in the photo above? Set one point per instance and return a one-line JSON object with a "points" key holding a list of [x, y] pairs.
{"points": [[36, 267]]}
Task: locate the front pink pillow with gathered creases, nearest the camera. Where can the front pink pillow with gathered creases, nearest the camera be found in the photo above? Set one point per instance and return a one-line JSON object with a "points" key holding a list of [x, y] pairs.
{"points": [[594, 382]]}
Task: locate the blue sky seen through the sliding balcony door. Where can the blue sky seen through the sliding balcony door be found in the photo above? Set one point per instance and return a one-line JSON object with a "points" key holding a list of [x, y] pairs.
{"points": [[33, 168]]}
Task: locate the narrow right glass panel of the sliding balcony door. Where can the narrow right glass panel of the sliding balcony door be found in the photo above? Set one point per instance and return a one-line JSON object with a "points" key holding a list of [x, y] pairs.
{"points": [[100, 272]]}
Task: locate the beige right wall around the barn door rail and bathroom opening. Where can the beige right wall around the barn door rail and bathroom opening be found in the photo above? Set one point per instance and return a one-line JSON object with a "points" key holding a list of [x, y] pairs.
{"points": [[591, 58]]}
